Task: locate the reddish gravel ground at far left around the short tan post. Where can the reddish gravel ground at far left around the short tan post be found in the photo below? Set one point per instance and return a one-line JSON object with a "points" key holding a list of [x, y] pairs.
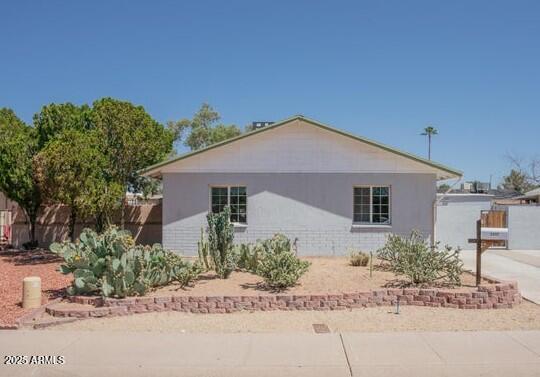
{"points": [[16, 265]]}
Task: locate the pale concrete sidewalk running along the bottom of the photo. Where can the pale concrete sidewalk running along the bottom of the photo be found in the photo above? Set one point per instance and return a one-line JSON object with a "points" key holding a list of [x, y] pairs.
{"points": [[349, 354]]}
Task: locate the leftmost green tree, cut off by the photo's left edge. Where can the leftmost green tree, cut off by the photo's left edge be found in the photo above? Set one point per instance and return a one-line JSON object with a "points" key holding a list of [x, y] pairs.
{"points": [[18, 146]]}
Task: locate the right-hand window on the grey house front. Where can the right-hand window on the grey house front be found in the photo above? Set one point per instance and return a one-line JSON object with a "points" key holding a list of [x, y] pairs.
{"points": [[371, 205]]}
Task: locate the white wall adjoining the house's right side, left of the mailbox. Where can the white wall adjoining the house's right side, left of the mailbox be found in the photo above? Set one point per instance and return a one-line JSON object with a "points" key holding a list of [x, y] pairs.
{"points": [[456, 220]]}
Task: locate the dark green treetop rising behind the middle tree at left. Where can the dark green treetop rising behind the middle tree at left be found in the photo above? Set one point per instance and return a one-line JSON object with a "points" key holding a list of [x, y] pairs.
{"points": [[54, 118]]}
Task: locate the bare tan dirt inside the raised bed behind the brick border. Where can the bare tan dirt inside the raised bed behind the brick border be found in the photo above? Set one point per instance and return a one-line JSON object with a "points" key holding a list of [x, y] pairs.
{"points": [[325, 275]]}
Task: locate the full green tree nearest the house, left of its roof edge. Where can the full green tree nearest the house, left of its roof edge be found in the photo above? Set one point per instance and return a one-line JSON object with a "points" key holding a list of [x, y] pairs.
{"points": [[129, 139]]}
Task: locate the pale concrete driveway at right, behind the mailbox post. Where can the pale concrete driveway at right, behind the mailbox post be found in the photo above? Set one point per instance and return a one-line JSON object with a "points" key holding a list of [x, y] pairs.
{"points": [[522, 266]]}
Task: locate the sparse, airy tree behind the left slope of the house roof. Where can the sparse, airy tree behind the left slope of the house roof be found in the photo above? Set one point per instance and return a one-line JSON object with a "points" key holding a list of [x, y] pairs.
{"points": [[203, 129]]}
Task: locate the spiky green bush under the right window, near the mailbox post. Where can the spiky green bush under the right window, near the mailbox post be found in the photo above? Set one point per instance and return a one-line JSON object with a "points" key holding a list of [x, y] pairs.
{"points": [[420, 262]]}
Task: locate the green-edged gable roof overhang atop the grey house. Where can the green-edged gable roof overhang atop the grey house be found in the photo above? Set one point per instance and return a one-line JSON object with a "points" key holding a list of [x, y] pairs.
{"points": [[447, 172]]}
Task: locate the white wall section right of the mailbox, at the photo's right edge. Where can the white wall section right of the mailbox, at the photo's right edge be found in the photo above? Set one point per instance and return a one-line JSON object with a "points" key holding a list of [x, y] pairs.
{"points": [[524, 227]]}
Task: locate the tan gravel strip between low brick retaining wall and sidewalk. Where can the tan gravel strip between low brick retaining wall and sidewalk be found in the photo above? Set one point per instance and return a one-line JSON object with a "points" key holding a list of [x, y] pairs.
{"points": [[523, 317]]}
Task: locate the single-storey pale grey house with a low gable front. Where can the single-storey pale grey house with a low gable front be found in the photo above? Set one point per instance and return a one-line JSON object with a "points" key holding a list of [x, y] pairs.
{"points": [[330, 190]]}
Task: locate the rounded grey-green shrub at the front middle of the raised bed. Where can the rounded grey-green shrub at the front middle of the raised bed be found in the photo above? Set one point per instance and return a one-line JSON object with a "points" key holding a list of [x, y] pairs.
{"points": [[278, 265]]}
